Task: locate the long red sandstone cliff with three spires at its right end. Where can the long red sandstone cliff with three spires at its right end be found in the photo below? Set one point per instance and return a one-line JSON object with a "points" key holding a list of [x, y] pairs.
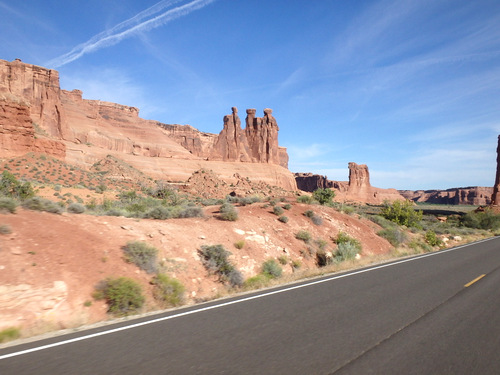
{"points": [[37, 115]]}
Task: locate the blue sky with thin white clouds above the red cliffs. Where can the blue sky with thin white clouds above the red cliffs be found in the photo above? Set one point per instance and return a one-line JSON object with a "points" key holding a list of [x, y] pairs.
{"points": [[409, 87]]}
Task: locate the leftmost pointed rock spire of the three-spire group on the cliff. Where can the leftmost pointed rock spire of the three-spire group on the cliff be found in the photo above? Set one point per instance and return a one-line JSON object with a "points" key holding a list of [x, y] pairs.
{"points": [[232, 144]]}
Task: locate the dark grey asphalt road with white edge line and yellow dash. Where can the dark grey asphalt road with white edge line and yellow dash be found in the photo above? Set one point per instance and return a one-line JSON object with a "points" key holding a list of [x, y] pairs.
{"points": [[412, 316]]}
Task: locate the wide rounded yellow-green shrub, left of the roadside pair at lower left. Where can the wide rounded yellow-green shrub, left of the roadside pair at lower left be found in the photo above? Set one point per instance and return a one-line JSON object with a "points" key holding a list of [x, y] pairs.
{"points": [[123, 295]]}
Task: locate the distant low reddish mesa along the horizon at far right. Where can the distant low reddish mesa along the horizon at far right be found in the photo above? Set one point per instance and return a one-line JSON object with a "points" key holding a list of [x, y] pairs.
{"points": [[475, 195]]}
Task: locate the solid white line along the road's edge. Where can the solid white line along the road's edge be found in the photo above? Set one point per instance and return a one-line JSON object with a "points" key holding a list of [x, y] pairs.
{"points": [[102, 333]]}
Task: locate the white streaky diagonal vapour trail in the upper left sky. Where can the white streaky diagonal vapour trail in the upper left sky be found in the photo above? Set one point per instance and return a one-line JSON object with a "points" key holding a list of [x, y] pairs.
{"points": [[143, 21]]}
